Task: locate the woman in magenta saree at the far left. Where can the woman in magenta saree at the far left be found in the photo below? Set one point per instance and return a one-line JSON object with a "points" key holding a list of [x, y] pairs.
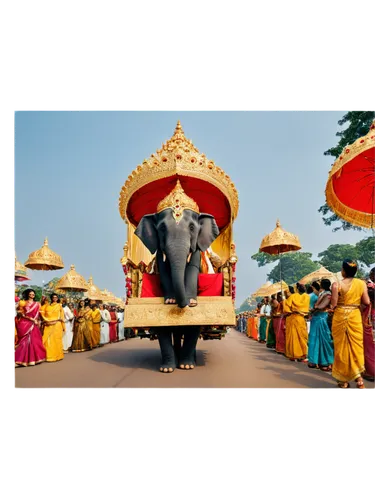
{"points": [[29, 350]]}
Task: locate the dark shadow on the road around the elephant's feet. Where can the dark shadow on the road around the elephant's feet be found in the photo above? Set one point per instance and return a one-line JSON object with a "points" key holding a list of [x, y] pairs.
{"points": [[146, 358]]}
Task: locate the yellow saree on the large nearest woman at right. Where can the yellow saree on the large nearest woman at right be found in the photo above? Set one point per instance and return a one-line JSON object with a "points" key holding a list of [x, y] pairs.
{"points": [[347, 333]]}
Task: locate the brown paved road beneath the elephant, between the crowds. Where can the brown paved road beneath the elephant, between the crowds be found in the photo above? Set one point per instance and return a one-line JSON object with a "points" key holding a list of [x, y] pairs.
{"points": [[235, 363]]}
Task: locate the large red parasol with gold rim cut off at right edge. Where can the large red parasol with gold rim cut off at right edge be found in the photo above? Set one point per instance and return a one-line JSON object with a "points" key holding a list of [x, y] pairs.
{"points": [[350, 190]]}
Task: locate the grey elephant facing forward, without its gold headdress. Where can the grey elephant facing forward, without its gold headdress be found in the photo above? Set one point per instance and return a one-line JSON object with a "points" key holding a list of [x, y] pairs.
{"points": [[178, 247]]}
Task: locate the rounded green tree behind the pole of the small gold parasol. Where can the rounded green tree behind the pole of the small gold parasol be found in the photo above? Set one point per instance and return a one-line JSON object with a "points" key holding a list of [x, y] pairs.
{"points": [[294, 266]]}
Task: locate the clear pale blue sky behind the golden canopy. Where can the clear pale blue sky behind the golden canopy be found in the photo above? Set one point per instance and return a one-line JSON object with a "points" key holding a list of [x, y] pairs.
{"points": [[70, 167]]}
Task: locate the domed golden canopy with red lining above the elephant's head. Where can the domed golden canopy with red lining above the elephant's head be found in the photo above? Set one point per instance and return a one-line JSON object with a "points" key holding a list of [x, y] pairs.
{"points": [[178, 159]]}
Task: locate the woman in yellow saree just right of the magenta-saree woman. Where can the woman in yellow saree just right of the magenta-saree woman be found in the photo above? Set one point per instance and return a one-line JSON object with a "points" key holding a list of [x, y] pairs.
{"points": [[53, 329]]}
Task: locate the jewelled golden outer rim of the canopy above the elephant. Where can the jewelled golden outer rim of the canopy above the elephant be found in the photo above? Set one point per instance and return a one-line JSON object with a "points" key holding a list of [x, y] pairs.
{"points": [[178, 157]]}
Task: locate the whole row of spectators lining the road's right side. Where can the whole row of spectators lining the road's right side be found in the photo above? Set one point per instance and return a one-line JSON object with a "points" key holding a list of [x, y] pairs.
{"points": [[328, 326]]}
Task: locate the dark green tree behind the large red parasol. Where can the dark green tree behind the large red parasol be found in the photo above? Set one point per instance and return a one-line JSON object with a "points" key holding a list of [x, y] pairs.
{"points": [[359, 122]]}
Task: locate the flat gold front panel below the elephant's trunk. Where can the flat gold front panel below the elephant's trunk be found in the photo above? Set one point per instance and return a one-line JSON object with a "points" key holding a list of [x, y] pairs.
{"points": [[152, 312]]}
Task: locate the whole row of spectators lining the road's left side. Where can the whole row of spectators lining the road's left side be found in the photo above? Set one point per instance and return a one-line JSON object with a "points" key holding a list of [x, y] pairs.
{"points": [[46, 330]]}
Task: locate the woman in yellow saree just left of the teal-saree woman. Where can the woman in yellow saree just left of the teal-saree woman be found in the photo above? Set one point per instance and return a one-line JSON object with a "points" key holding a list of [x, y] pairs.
{"points": [[297, 306]]}
